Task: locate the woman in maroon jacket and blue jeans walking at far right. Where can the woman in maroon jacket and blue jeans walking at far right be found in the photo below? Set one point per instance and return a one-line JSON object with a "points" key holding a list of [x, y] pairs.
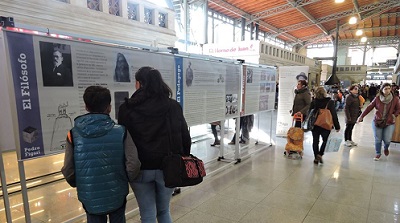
{"points": [[387, 109]]}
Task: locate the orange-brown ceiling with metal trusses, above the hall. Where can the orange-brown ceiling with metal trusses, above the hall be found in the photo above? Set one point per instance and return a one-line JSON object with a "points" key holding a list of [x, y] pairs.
{"points": [[308, 22]]}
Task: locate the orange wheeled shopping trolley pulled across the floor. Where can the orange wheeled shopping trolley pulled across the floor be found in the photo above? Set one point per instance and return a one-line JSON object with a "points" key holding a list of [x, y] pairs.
{"points": [[295, 137]]}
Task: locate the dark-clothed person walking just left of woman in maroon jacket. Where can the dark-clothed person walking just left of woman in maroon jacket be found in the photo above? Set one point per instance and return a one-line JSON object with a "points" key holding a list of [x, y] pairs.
{"points": [[351, 111]]}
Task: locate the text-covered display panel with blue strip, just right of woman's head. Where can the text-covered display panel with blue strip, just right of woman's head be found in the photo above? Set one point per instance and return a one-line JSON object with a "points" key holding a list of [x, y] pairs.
{"points": [[203, 90]]}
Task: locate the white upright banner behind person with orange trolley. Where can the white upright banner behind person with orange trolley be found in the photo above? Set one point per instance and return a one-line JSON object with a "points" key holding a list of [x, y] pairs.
{"points": [[288, 77]]}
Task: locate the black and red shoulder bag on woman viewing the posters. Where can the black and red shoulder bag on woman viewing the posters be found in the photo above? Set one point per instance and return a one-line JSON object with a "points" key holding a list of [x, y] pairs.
{"points": [[180, 170]]}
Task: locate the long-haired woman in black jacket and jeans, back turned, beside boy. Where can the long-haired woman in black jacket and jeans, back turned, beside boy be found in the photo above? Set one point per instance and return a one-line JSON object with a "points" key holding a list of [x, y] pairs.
{"points": [[146, 114]]}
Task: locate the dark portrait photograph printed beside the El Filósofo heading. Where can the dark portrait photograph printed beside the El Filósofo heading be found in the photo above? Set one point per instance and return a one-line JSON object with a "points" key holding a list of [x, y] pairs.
{"points": [[56, 64]]}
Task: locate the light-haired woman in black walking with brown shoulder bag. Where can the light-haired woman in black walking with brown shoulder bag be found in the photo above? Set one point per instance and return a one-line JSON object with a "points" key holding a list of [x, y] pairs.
{"points": [[322, 101]]}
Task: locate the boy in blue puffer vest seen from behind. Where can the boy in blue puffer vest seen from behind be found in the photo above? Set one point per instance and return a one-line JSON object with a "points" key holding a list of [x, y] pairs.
{"points": [[100, 159]]}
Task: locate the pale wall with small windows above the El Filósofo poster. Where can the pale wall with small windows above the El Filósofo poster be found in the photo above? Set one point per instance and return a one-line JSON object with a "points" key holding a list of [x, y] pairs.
{"points": [[133, 21]]}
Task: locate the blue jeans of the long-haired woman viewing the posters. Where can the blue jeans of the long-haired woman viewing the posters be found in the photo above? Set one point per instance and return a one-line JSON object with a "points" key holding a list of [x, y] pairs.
{"points": [[152, 196]]}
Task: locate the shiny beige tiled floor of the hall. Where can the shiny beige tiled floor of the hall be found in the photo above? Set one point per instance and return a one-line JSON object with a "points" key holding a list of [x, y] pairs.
{"points": [[265, 187]]}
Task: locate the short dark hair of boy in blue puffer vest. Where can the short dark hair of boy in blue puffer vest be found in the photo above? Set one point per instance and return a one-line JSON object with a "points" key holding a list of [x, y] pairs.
{"points": [[97, 99]]}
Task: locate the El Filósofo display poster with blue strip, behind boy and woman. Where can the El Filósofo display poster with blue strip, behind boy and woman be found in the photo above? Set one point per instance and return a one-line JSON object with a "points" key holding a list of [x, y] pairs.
{"points": [[50, 76]]}
